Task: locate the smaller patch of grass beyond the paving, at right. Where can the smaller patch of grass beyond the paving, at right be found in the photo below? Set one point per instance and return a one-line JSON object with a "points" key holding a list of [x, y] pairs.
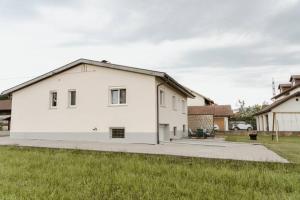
{"points": [[287, 146]]}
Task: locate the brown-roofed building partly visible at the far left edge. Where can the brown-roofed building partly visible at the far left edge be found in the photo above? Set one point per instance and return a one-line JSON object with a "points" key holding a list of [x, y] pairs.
{"points": [[5, 110]]}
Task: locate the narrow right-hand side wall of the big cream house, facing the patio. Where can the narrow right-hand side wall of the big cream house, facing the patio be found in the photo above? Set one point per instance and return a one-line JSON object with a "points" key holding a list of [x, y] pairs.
{"points": [[173, 118]]}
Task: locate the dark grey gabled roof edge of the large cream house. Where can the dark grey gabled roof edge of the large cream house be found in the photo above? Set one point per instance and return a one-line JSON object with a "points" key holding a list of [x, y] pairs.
{"points": [[172, 82]]}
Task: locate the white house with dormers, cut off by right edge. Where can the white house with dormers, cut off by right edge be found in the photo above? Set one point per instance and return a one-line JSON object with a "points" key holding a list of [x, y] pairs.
{"points": [[284, 113]]}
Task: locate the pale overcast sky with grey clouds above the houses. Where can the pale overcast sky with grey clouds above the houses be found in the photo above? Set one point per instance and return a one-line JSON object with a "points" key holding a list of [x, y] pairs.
{"points": [[226, 50]]}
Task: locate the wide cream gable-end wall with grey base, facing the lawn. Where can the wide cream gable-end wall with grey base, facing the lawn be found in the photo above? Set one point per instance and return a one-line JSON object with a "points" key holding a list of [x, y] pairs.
{"points": [[32, 117]]}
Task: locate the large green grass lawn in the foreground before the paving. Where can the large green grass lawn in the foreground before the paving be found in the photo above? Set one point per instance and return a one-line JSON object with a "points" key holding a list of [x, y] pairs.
{"points": [[40, 173]]}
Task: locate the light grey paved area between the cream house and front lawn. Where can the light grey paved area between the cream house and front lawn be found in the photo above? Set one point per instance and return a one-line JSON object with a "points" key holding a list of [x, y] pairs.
{"points": [[210, 148]]}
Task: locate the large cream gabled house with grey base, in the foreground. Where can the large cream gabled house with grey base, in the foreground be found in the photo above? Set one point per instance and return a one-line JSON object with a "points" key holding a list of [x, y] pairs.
{"points": [[99, 101]]}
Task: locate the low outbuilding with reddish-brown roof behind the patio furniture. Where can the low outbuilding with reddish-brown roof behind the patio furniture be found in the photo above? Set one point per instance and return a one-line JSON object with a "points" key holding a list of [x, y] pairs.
{"points": [[205, 117]]}
